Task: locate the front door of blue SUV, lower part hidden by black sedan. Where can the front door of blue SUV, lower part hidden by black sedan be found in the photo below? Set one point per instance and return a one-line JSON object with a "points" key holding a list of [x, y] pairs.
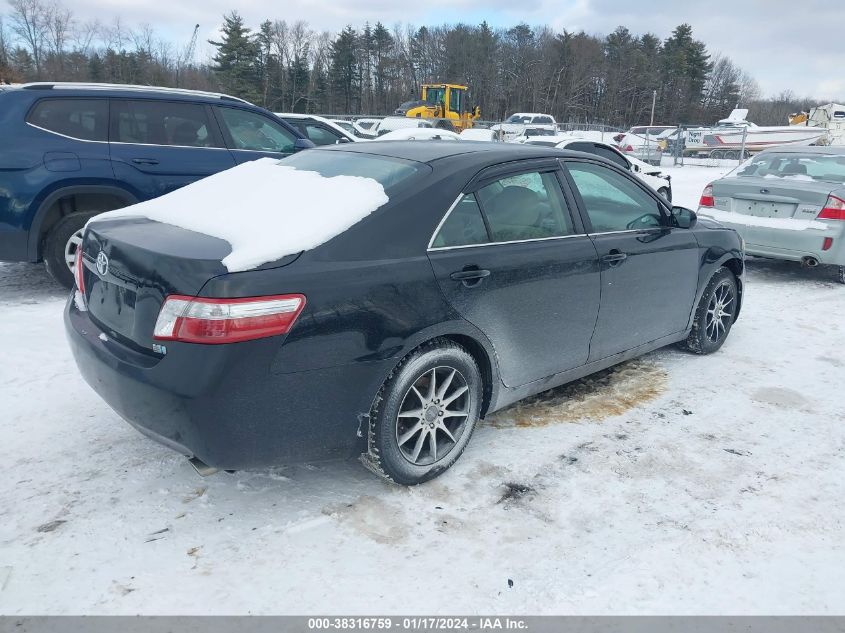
{"points": [[251, 135]]}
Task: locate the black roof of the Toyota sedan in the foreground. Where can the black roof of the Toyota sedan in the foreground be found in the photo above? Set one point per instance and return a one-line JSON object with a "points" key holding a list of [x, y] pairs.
{"points": [[480, 152]]}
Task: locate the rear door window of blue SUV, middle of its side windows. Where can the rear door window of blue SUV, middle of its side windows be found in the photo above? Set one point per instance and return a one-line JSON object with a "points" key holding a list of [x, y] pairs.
{"points": [[163, 123]]}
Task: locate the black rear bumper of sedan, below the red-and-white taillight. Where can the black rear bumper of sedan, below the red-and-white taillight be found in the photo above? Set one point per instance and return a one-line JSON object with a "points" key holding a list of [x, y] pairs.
{"points": [[222, 403]]}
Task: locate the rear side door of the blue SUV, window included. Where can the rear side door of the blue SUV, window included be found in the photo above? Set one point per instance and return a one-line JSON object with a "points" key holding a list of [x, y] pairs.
{"points": [[158, 146]]}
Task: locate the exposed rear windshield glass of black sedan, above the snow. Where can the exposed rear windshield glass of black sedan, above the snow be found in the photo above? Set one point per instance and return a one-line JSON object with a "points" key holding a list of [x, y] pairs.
{"points": [[388, 171]]}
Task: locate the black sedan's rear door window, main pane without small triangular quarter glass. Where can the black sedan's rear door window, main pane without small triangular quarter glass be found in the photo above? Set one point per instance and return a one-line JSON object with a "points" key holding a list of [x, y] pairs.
{"points": [[524, 207]]}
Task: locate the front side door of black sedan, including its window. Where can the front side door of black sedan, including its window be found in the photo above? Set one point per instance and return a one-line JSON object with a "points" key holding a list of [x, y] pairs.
{"points": [[649, 268]]}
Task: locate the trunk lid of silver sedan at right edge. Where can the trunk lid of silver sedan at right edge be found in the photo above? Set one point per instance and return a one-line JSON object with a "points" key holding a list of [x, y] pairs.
{"points": [[771, 197]]}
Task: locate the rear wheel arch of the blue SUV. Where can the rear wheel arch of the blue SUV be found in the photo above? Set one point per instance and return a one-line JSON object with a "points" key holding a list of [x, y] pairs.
{"points": [[61, 202]]}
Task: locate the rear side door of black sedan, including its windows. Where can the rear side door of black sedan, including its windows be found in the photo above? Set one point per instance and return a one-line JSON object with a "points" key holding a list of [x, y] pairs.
{"points": [[513, 260]]}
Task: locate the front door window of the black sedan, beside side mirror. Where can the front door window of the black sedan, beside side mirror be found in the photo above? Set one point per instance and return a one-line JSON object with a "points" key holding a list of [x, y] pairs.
{"points": [[612, 201]]}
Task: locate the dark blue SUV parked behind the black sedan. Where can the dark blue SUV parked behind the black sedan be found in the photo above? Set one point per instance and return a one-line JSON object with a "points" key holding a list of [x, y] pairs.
{"points": [[71, 151]]}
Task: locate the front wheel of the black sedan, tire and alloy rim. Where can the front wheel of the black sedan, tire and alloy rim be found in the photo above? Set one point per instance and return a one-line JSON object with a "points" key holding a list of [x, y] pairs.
{"points": [[714, 315]]}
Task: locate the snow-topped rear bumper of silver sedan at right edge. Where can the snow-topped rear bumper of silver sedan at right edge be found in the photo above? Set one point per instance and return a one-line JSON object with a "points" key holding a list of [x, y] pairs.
{"points": [[783, 243]]}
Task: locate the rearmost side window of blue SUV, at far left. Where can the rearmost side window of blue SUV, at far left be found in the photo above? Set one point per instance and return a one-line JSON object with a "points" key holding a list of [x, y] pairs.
{"points": [[85, 119]]}
